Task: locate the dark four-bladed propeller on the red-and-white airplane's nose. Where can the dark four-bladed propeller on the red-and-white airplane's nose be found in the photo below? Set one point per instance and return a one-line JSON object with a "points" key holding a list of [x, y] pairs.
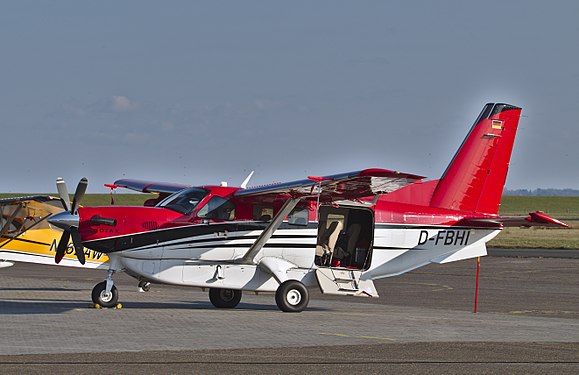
{"points": [[68, 220]]}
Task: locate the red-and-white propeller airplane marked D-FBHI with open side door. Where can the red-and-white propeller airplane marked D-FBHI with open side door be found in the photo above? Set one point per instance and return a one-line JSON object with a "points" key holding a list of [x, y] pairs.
{"points": [[337, 232]]}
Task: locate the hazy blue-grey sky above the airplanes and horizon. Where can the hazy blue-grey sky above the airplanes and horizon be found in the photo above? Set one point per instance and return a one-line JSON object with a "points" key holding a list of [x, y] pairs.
{"points": [[202, 92]]}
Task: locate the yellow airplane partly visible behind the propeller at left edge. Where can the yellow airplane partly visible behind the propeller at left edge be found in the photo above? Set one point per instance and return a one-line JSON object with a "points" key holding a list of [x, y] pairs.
{"points": [[26, 235]]}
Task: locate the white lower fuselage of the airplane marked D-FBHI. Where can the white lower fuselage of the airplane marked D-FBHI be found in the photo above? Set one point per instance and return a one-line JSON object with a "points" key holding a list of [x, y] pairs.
{"points": [[395, 251]]}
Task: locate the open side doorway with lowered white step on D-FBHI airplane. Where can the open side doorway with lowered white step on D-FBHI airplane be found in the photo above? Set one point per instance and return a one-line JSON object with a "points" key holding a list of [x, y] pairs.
{"points": [[343, 250]]}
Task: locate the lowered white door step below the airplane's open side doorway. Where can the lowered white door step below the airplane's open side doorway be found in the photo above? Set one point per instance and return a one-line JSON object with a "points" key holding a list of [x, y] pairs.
{"points": [[340, 281]]}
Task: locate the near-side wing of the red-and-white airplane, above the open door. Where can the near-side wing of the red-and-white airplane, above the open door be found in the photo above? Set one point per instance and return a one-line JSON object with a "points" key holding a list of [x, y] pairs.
{"points": [[344, 186]]}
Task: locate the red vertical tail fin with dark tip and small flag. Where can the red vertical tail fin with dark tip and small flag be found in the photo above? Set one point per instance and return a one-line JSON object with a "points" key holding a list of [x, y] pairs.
{"points": [[475, 178]]}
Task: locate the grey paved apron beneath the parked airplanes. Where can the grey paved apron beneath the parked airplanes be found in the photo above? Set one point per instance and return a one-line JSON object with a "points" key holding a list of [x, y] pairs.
{"points": [[528, 322]]}
